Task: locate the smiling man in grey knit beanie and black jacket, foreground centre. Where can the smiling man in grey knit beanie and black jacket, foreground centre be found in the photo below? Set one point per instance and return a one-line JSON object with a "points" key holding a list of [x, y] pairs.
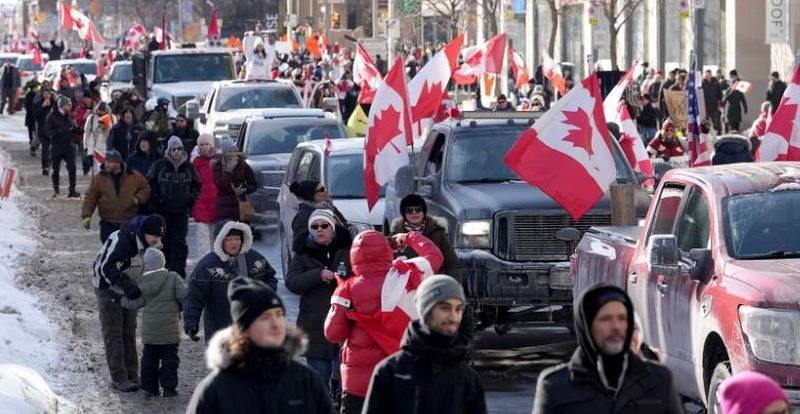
{"points": [[407, 382]]}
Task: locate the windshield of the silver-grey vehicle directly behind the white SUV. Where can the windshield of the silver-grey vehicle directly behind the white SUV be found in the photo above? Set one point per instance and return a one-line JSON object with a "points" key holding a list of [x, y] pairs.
{"points": [[277, 139]]}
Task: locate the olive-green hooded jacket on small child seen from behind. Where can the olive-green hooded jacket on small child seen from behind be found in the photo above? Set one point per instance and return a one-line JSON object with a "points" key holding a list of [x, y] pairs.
{"points": [[162, 294]]}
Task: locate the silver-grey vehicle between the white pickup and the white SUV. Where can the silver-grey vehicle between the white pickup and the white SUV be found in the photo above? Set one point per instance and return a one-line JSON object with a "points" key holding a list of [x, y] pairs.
{"points": [[268, 141]]}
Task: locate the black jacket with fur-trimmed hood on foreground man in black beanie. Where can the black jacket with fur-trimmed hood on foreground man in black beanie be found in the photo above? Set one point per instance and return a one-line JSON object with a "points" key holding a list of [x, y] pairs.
{"points": [[266, 381]]}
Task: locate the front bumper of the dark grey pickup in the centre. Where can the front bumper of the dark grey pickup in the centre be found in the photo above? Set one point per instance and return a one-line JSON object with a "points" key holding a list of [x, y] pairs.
{"points": [[492, 281]]}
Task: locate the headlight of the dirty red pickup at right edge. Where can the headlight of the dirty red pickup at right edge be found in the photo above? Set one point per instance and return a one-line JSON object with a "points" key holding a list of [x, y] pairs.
{"points": [[773, 335]]}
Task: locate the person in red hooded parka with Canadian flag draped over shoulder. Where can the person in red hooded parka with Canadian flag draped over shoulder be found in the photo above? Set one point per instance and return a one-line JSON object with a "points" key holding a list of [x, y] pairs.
{"points": [[355, 318]]}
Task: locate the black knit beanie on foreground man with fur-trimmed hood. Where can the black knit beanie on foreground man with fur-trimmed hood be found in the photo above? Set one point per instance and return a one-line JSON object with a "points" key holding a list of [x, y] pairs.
{"points": [[249, 298]]}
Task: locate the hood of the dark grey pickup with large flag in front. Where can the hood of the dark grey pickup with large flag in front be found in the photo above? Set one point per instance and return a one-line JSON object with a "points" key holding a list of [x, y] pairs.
{"points": [[481, 201]]}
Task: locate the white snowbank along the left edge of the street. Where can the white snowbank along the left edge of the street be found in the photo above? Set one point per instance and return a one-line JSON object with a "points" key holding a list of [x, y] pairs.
{"points": [[27, 335]]}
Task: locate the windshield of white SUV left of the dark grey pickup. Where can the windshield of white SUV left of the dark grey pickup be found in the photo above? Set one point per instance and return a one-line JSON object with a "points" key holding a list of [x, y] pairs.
{"points": [[344, 176]]}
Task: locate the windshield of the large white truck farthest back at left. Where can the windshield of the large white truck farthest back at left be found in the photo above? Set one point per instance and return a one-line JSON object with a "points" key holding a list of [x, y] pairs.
{"points": [[188, 68]]}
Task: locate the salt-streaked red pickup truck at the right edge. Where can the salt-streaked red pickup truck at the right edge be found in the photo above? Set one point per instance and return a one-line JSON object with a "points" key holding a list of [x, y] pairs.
{"points": [[714, 273]]}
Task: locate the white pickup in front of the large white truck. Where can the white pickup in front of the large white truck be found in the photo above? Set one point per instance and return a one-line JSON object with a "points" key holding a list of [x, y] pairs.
{"points": [[229, 102]]}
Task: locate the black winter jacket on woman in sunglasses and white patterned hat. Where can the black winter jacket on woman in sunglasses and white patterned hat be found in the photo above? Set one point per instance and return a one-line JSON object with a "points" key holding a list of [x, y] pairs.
{"points": [[303, 278]]}
